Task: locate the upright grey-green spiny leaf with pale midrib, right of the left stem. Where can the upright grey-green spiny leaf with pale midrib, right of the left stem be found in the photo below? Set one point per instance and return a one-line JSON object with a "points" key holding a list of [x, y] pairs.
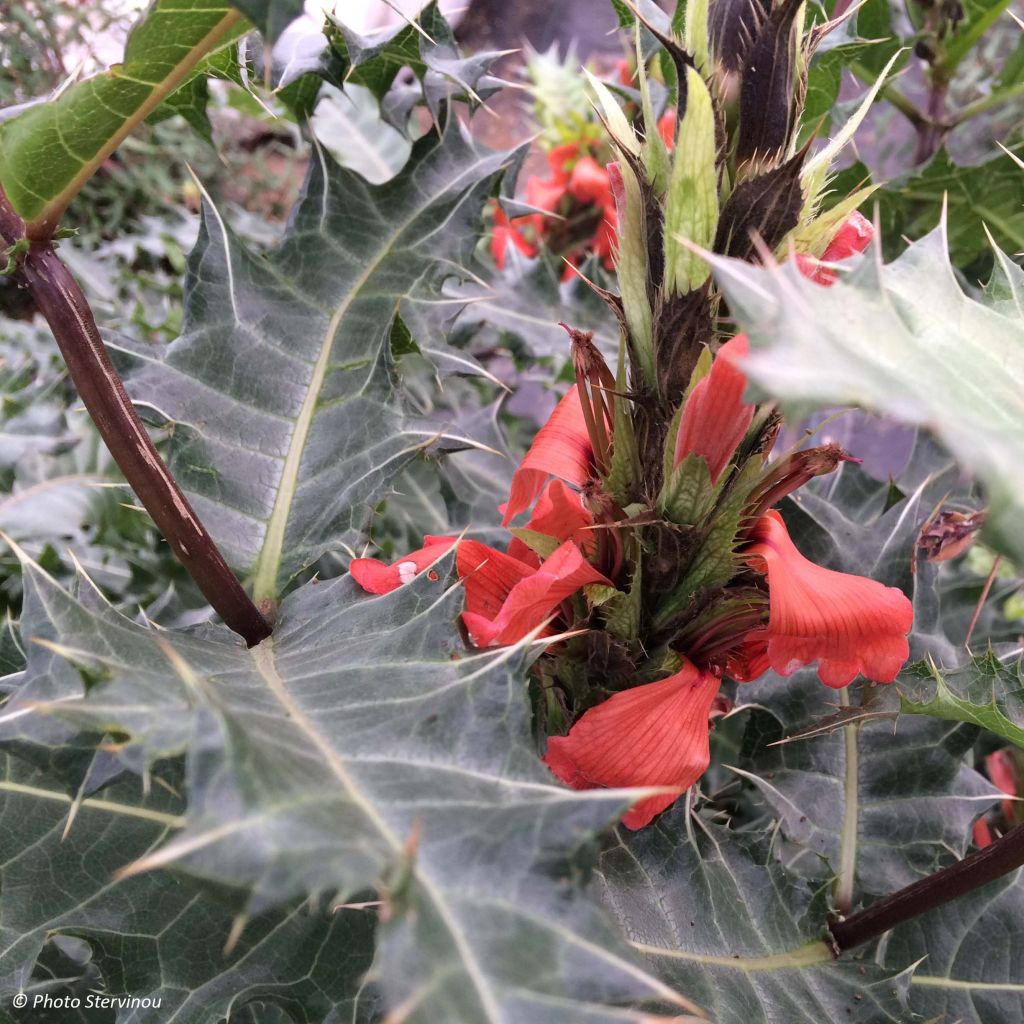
{"points": [[286, 429]]}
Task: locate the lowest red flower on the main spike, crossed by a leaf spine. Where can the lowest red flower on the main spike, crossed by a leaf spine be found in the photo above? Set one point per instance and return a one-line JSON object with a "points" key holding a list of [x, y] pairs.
{"points": [[655, 735]]}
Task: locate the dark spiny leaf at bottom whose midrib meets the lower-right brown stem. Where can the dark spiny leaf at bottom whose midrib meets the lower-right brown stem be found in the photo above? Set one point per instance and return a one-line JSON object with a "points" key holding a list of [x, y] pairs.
{"points": [[716, 913]]}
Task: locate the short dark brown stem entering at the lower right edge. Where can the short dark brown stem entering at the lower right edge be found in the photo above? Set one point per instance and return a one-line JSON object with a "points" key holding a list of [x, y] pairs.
{"points": [[1004, 857]]}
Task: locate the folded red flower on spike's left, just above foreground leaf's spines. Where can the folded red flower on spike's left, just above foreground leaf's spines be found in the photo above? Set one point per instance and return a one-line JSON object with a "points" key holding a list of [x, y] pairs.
{"points": [[507, 600]]}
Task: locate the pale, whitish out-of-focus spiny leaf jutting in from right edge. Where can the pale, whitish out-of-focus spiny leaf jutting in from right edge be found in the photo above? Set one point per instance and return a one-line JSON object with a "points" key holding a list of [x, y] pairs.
{"points": [[902, 339]]}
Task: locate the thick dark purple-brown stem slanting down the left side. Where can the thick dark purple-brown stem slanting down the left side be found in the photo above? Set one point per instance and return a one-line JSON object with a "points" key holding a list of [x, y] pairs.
{"points": [[60, 300]]}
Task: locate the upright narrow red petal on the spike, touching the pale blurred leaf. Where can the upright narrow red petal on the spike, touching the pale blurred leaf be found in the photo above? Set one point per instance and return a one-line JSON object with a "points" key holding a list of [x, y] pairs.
{"points": [[716, 418]]}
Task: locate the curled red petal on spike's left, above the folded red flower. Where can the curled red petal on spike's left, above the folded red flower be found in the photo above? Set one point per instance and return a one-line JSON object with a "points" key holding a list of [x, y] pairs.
{"points": [[562, 449]]}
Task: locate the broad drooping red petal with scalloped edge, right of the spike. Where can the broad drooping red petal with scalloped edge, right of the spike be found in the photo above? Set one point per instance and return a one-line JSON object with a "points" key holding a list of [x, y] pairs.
{"points": [[849, 625]]}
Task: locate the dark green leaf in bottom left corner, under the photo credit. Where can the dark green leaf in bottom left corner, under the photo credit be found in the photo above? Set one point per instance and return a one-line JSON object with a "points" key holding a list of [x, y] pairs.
{"points": [[153, 937]]}
